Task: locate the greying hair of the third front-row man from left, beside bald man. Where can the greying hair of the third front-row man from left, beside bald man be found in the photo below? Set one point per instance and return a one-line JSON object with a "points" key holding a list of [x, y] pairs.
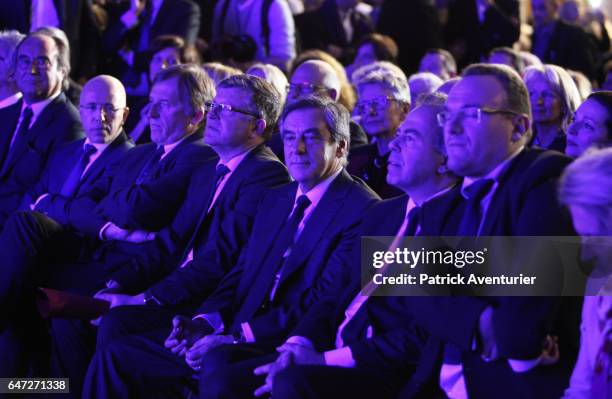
{"points": [[194, 86]]}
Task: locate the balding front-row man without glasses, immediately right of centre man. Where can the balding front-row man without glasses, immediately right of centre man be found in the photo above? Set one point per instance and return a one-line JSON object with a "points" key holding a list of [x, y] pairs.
{"points": [[332, 339]]}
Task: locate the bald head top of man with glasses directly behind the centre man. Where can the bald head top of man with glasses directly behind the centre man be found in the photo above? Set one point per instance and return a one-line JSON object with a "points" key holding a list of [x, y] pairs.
{"points": [[314, 76]]}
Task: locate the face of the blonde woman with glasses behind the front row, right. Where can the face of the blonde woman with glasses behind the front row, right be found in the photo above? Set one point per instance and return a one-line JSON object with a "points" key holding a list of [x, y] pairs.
{"points": [[546, 103]]}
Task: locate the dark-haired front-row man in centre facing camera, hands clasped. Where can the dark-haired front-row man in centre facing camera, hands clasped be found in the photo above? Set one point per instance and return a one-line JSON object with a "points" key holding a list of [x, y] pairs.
{"points": [[298, 249]]}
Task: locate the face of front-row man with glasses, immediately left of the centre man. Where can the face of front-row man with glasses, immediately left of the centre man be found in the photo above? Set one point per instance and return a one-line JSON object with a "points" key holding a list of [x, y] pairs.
{"points": [[227, 124]]}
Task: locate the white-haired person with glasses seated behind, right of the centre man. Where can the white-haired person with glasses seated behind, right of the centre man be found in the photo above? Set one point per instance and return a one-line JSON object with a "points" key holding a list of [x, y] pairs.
{"points": [[384, 101]]}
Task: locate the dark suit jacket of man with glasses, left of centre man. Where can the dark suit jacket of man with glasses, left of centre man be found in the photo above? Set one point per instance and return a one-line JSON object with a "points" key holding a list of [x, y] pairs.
{"points": [[217, 237]]}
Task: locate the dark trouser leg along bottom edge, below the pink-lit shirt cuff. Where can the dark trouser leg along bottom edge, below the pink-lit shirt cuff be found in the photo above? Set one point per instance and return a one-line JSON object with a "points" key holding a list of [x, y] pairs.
{"points": [[332, 382]]}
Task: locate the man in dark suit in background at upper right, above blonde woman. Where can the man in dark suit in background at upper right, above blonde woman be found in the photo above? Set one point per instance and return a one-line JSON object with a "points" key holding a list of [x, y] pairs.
{"points": [[556, 42]]}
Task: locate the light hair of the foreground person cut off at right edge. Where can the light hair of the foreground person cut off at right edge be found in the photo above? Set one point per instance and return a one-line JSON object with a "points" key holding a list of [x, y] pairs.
{"points": [[587, 182]]}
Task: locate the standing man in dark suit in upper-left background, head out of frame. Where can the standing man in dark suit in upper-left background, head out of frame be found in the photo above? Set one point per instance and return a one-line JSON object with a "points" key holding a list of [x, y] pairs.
{"points": [[133, 26]]}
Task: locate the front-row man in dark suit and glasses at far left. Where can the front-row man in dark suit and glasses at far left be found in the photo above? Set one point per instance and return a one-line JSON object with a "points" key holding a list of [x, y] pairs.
{"points": [[37, 125]]}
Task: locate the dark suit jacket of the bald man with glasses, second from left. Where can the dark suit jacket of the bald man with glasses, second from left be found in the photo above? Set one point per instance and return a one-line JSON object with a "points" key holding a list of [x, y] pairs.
{"points": [[60, 166]]}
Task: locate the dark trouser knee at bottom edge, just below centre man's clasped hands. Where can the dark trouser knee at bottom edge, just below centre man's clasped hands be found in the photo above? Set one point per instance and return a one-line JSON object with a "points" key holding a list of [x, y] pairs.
{"points": [[227, 371]]}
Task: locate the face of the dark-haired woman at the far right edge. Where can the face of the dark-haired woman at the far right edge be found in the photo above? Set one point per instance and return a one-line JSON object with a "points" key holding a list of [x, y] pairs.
{"points": [[588, 128]]}
